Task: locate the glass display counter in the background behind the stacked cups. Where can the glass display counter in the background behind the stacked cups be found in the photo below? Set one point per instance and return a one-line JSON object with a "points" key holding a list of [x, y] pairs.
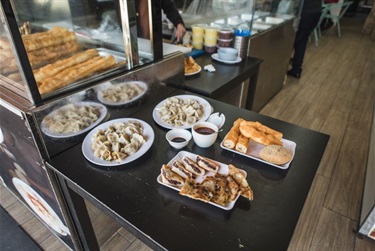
{"points": [[258, 15]]}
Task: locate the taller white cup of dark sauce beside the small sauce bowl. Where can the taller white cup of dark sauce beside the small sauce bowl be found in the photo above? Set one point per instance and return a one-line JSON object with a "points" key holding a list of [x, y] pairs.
{"points": [[204, 134]]}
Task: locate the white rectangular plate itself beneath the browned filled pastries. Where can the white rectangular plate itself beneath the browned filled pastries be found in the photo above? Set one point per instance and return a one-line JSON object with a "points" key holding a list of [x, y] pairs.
{"points": [[222, 170]]}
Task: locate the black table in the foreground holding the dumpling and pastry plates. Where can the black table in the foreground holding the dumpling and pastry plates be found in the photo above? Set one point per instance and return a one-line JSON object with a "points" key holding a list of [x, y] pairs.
{"points": [[165, 220]]}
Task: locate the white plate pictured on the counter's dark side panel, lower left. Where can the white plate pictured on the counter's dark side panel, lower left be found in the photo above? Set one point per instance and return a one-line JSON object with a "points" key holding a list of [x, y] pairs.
{"points": [[40, 207]]}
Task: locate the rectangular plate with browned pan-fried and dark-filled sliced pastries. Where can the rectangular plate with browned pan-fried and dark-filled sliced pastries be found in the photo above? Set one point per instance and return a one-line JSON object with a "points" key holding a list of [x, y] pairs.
{"points": [[204, 179]]}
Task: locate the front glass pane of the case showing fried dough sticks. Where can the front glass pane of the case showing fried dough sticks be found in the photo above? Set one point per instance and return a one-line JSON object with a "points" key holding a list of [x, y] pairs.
{"points": [[73, 43]]}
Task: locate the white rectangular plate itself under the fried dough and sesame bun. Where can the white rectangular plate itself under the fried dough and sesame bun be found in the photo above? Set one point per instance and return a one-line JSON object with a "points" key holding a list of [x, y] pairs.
{"points": [[254, 148]]}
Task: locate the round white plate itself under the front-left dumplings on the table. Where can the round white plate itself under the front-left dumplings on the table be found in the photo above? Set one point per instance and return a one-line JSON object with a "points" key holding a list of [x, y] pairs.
{"points": [[148, 133]]}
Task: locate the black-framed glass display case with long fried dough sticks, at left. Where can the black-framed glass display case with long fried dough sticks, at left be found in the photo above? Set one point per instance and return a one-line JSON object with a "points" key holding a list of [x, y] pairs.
{"points": [[59, 47]]}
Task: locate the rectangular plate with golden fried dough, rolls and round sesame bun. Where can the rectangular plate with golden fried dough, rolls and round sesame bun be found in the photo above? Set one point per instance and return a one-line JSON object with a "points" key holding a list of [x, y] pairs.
{"points": [[260, 142]]}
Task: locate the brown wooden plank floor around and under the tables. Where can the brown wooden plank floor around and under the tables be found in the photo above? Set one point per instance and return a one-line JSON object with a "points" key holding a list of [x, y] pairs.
{"points": [[336, 95]]}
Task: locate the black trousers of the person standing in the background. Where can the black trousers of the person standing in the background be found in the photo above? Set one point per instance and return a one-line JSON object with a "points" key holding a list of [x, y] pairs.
{"points": [[308, 22]]}
